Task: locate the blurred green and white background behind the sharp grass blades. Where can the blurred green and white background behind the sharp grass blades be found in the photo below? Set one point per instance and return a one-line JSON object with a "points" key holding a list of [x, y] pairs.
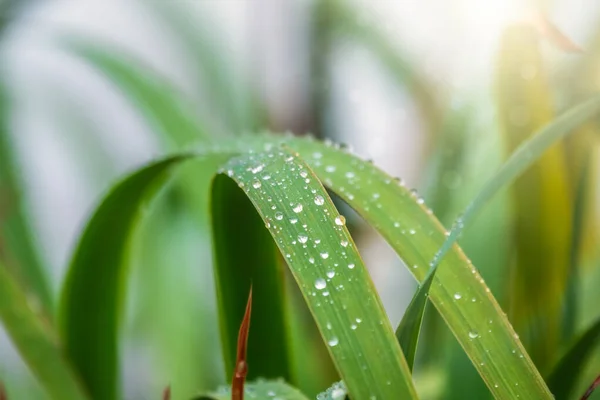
{"points": [[437, 92]]}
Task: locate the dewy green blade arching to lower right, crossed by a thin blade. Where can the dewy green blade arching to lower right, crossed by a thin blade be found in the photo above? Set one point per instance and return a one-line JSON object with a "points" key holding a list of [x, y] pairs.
{"points": [[458, 292]]}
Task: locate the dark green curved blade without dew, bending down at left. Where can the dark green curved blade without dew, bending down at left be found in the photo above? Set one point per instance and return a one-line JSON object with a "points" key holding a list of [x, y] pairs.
{"points": [[91, 293]]}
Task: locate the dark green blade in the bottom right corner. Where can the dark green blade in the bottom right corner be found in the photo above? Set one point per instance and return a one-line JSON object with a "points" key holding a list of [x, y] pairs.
{"points": [[567, 371]]}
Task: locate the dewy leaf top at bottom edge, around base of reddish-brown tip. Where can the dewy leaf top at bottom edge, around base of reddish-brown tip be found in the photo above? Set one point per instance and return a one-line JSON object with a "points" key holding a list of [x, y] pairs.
{"points": [[260, 390]]}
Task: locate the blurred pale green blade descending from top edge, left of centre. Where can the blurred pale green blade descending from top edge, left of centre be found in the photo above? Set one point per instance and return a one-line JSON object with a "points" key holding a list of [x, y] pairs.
{"points": [[227, 91]]}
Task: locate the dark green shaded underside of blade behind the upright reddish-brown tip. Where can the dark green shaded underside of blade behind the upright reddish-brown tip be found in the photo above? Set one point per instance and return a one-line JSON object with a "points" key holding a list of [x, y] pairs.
{"points": [[244, 256]]}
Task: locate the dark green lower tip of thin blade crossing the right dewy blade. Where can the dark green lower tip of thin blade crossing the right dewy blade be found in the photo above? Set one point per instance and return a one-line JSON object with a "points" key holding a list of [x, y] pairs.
{"points": [[409, 328]]}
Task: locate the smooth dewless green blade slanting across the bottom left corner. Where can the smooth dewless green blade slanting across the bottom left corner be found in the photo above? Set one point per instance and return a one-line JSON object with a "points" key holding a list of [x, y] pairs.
{"points": [[36, 342]]}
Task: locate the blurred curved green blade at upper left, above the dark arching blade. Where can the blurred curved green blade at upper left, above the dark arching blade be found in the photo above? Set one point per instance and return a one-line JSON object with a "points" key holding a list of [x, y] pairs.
{"points": [[172, 117]]}
